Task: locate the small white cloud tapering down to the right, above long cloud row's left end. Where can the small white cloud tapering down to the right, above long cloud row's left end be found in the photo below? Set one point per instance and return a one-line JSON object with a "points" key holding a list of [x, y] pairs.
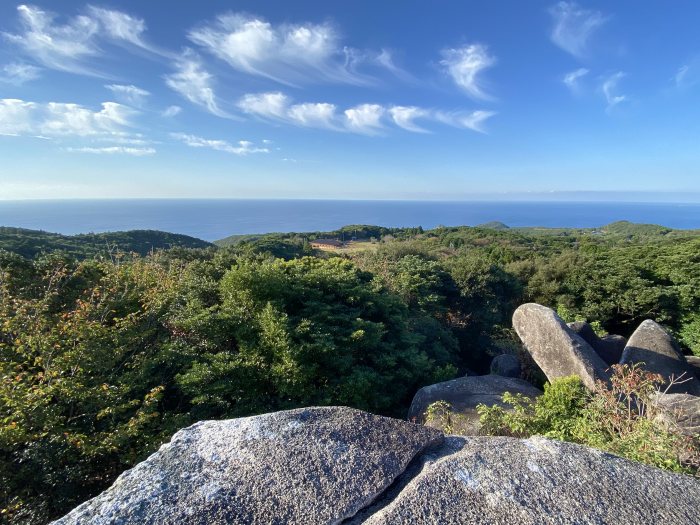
{"points": [[194, 83]]}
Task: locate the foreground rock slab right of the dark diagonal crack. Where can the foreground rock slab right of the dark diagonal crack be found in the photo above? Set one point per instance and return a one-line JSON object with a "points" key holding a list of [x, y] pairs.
{"points": [[540, 481]]}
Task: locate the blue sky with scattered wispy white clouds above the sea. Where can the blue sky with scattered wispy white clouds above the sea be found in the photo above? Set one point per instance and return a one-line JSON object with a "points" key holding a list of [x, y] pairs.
{"points": [[416, 100]]}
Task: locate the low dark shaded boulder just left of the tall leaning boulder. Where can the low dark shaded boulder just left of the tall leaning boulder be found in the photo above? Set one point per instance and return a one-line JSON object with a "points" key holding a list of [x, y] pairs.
{"points": [[464, 394]]}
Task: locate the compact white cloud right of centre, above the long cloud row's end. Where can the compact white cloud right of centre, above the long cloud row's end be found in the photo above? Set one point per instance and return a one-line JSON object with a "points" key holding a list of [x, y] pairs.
{"points": [[465, 66]]}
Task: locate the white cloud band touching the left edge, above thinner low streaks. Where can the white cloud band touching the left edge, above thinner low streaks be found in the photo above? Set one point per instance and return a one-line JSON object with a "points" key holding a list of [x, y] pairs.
{"points": [[56, 119]]}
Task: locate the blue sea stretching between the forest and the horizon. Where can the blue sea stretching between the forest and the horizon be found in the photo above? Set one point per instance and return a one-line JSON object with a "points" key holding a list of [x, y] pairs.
{"points": [[215, 219]]}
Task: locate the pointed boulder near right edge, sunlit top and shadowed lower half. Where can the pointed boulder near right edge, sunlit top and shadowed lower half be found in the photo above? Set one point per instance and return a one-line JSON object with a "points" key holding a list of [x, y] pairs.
{"points": [[659, 353]]}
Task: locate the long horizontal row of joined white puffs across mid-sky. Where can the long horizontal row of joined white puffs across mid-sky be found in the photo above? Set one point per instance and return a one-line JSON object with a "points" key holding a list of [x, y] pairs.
{"points": [[367, 119]]}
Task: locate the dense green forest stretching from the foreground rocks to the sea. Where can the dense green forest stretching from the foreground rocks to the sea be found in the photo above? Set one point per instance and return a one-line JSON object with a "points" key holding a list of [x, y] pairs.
{"points": [[103, 358]]}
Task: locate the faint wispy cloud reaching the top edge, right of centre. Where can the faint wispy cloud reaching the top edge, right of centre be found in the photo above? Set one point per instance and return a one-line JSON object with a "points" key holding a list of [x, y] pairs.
{"points": [[573, 27]]}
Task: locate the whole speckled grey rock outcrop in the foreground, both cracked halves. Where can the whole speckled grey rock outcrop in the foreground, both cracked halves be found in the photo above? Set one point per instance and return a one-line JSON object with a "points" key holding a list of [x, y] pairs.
{"points": [[332, 465]]}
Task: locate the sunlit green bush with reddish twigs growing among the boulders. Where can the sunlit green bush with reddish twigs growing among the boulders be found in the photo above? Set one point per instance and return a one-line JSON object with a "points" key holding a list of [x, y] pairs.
{"points": [[620, 419]]}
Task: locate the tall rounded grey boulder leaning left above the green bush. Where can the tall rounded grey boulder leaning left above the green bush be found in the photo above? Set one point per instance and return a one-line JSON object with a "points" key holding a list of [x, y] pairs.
{"points": [[557, 350]]}
